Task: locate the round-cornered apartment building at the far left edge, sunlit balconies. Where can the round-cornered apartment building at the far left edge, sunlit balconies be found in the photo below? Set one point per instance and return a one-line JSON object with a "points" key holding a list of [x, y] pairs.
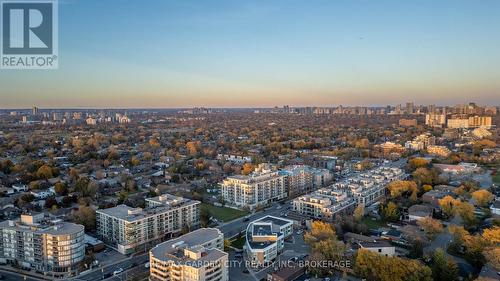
{"points": [[52, 247]]}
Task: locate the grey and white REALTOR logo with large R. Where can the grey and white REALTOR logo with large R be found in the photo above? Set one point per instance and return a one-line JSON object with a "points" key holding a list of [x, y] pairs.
{"points": [[29, 34]]}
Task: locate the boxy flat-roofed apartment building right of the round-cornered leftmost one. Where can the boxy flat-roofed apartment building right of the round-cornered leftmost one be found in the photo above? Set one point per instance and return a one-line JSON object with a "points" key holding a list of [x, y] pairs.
{"points": [[130, 229]]}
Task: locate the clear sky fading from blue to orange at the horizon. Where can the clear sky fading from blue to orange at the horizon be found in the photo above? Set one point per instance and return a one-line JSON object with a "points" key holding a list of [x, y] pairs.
{"points": [[185, 53]]}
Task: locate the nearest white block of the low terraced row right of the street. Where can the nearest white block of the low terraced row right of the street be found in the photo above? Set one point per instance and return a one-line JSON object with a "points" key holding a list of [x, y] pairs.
{"points": [[324, 203]]}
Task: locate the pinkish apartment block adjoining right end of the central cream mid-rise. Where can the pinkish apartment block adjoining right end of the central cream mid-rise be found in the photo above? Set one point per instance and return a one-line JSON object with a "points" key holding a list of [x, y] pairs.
{"points": [[301, 179]]}
